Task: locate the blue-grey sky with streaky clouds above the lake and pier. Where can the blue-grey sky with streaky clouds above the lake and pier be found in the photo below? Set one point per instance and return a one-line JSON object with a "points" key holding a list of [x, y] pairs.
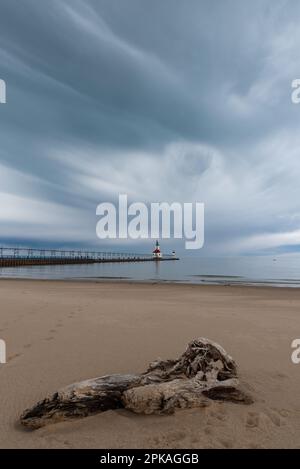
{"points": [[162, 100]]}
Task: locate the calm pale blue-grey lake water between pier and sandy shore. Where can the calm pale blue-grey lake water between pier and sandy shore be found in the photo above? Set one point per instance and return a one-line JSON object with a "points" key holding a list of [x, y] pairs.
{"points": [[262, 270]]}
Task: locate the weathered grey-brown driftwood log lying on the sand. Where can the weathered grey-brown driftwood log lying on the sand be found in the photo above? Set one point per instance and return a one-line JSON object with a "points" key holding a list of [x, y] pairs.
{"points": [[204, 371]]}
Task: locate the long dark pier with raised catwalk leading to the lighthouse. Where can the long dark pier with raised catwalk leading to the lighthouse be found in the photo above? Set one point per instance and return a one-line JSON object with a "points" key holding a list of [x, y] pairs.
{"points": [[17, 257]]}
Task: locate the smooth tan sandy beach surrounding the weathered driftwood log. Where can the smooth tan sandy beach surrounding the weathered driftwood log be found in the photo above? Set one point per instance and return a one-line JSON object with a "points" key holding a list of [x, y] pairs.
{"points": [[62, 332]]}
